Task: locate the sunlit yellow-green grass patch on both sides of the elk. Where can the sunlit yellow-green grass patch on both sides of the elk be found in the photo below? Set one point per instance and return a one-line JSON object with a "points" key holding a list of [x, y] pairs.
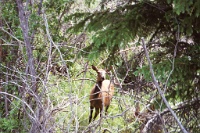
{"points": [[75, 116]]}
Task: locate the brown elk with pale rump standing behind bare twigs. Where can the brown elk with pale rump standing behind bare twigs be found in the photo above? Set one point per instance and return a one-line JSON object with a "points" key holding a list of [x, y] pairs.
{"points": [[101, 94]]}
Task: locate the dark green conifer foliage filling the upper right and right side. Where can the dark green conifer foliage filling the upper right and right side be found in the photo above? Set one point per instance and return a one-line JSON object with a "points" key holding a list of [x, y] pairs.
{"points": [[112, 30]]}
